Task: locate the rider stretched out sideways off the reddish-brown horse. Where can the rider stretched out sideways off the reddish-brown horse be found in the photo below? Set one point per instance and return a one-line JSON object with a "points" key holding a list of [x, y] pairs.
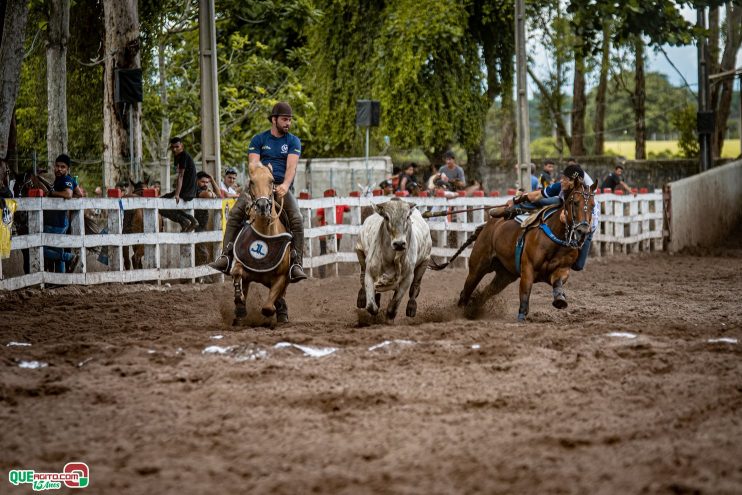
{"points": [[526, 203]]}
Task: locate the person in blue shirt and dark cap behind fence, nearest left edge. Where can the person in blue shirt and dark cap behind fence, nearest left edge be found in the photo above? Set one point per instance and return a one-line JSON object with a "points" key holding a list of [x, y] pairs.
{"points": [[57, 221]]}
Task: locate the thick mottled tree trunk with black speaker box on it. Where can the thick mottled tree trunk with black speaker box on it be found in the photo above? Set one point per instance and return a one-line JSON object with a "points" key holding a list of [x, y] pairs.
{"points": [[122, 49]]}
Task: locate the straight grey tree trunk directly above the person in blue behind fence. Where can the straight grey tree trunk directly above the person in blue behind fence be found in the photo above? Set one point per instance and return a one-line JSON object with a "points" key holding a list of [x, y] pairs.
{"points": [[58, 33]]}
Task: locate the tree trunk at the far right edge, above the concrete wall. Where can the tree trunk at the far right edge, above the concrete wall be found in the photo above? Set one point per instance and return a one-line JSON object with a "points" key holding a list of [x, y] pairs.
{"points": [[722, 93]]}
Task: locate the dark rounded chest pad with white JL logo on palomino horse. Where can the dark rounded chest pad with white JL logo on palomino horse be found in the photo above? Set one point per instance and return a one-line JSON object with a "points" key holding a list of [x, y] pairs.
{"points": [[259, 253]]}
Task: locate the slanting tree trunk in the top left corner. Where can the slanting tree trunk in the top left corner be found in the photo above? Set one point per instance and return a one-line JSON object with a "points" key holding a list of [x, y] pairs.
{"points": [[11, 55]]}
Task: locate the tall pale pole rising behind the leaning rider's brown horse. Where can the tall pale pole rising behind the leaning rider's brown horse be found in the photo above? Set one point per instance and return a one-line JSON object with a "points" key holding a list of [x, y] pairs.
{"points": [[524, 152]]}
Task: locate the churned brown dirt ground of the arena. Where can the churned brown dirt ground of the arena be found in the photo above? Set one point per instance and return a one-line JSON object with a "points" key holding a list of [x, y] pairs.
{"points": [[448, 405]]}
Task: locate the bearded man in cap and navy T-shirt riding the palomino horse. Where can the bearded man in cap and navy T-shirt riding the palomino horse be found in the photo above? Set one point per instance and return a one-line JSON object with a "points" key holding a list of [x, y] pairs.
{"points": [[280, 150]]}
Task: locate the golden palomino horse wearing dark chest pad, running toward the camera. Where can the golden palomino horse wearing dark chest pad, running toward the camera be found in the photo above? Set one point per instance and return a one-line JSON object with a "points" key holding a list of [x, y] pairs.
{"points": [[262, 249]]}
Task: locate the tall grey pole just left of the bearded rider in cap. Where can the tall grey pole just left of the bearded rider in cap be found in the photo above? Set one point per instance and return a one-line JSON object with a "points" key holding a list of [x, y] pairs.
{"points": [[210, 145]]}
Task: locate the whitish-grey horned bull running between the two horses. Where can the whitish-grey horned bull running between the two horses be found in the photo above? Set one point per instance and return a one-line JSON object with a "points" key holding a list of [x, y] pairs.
{"points": [[393, 249]]}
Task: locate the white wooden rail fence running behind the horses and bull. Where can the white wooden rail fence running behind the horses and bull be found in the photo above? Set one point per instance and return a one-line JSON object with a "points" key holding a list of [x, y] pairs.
{"points": [[628, 224]]}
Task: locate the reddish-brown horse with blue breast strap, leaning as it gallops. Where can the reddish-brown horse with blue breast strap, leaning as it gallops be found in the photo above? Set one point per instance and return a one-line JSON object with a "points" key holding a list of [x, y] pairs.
{"points": [[548, 250]]}
